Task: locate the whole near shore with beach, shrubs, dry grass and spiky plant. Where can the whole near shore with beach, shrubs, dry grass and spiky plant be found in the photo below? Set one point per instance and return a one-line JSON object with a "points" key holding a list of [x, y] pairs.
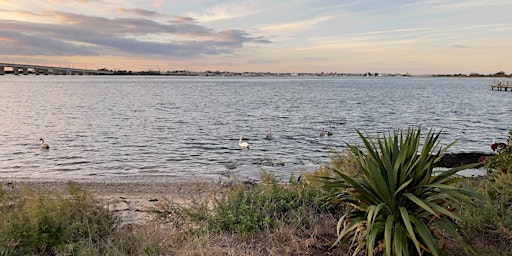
{"points": [[382, 198]]}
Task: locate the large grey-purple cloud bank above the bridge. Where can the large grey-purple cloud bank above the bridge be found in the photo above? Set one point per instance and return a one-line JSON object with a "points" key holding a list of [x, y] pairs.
{"points": [[73, 34]]}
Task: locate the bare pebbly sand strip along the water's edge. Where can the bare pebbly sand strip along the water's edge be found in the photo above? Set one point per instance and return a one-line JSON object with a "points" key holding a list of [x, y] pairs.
{"points": [[134, 202]]}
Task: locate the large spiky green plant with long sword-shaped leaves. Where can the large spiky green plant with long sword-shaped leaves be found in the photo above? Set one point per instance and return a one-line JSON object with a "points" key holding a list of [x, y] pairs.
{"points": [[398, 202]]}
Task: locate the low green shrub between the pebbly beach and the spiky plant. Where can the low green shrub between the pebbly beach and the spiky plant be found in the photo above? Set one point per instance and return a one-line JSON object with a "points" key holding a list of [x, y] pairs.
{"points": [[260, 207]]}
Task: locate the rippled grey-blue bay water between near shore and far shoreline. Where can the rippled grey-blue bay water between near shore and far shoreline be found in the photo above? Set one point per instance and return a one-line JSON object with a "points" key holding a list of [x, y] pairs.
{"points": [[160, 128]]}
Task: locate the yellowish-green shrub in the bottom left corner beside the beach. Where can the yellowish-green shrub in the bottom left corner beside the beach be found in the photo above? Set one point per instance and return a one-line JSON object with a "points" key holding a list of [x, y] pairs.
{"points": [[43, 222]]}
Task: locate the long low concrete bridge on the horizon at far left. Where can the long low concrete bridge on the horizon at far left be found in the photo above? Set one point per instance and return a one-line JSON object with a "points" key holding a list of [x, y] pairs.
{"points": [[48, 70]]}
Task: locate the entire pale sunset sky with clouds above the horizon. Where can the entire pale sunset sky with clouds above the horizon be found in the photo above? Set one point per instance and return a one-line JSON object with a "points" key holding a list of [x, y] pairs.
{"points": [[416, 37]]}
